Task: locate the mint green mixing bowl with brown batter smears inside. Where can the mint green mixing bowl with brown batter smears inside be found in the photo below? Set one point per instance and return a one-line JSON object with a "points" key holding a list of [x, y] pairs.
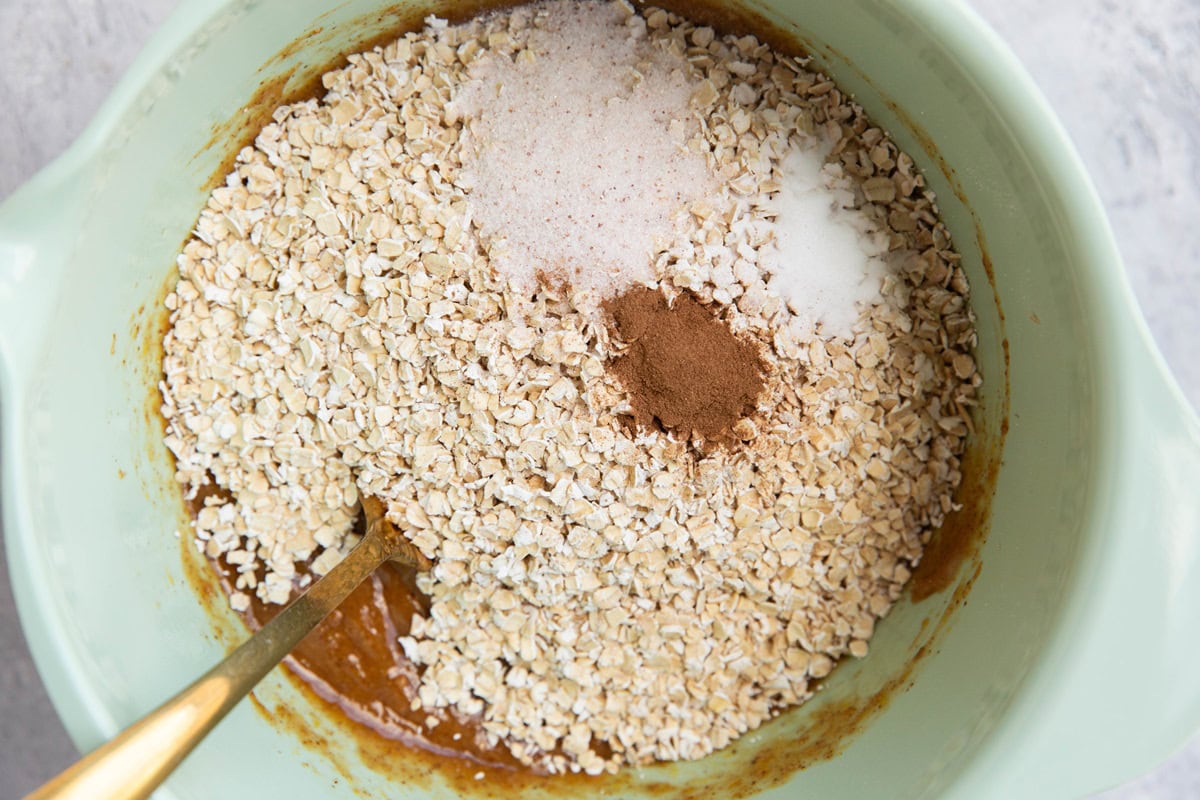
{"points": [[1070, 667]]}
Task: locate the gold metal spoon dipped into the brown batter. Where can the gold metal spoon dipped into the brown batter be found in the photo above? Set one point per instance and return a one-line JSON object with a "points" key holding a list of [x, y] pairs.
{"points": [[141, 757]]}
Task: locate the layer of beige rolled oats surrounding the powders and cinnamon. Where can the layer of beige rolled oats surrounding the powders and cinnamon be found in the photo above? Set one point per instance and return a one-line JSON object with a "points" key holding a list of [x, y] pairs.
{"points": [[339, 329]]}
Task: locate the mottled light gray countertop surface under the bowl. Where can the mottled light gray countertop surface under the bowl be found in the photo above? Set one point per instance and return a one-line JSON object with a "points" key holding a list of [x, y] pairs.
{"points": [[1124, 76]]}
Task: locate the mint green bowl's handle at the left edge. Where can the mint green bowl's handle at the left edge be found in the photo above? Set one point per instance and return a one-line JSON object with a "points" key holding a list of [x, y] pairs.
{"points": [[38, 227]]}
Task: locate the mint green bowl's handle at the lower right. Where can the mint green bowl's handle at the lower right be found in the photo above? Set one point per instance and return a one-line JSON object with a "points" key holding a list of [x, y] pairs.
{"points": [[1120, 689]]}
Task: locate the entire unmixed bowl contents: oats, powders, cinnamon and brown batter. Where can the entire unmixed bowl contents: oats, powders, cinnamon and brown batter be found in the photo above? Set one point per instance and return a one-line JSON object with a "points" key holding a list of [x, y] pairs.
{"points": [[671, 459]]}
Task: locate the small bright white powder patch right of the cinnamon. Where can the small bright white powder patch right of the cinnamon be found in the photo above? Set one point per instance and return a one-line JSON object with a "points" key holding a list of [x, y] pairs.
{"points": [[830, 260]]}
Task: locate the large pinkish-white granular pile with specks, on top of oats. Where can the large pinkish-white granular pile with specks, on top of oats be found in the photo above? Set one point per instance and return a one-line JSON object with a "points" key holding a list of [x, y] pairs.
{"points": [[579, 157]]}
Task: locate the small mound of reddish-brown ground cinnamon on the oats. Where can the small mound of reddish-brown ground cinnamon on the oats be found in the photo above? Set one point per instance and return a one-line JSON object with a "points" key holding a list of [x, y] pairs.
{"points": [[685, 369]]}
